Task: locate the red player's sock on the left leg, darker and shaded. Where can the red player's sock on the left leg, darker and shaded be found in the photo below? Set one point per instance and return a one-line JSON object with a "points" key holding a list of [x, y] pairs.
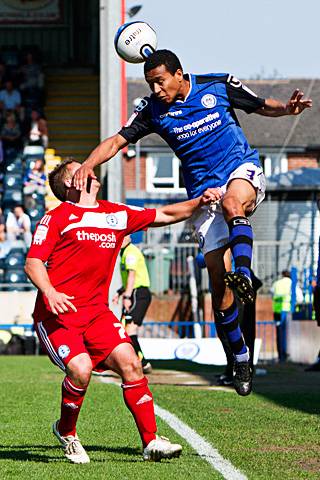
{"points": [[72, 399]]}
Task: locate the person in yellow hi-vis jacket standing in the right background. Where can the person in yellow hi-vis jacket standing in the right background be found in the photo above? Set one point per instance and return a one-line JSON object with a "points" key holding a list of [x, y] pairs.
{"points": [[281, 303]]}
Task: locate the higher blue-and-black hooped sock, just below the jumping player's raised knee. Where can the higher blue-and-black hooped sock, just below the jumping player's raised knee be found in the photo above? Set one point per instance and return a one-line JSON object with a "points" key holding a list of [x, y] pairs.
{"points": [[241, 237]]}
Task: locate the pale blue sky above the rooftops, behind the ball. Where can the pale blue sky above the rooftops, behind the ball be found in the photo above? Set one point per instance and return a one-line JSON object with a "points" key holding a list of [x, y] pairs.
{"points": [[248, 38]]}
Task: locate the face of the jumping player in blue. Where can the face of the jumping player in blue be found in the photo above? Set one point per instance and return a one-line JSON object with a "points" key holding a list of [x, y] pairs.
{"points": [[164, 85]]}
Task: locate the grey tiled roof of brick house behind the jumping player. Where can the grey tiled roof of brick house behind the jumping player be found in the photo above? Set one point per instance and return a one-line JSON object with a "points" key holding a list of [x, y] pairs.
{"points": [[264, 133]]}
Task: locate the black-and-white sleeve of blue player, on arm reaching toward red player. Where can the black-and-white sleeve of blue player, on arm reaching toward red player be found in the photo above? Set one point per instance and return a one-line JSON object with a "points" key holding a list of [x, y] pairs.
{"points": [[139, 124]]}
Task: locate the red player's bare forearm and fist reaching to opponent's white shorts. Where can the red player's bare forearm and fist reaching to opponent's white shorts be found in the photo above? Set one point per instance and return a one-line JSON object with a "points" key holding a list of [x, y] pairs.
{"points": [[182, 211]]}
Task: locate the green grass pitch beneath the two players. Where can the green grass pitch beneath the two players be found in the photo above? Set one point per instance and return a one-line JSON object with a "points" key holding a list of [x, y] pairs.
{"points": [[272, 434]]}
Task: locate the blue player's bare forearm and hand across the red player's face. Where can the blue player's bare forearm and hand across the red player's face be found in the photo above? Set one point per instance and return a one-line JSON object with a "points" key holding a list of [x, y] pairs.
{"points": [[102, 153]]}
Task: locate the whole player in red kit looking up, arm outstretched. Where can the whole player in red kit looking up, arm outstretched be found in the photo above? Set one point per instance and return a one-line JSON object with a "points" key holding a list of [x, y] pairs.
{"points": [[79, 240]]}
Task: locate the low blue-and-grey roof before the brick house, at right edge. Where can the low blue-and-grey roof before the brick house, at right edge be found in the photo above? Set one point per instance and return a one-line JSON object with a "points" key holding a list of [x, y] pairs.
{"points": [[299, 179]]}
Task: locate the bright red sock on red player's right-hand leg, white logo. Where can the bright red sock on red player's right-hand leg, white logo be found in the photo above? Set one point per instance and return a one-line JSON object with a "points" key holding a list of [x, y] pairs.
{"points": [[139, 401]]}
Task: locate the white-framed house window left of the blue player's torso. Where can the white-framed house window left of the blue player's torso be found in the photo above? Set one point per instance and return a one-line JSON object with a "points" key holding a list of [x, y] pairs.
{"points": [[164, 173]]}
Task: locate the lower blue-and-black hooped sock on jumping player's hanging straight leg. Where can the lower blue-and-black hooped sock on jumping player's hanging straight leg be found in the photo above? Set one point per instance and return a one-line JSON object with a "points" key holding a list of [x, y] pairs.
{"points": [[229, 321]]}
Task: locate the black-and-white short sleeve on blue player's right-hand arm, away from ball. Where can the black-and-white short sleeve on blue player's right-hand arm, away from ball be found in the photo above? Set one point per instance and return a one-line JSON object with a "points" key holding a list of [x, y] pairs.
{"points": [[240, 96]]}
